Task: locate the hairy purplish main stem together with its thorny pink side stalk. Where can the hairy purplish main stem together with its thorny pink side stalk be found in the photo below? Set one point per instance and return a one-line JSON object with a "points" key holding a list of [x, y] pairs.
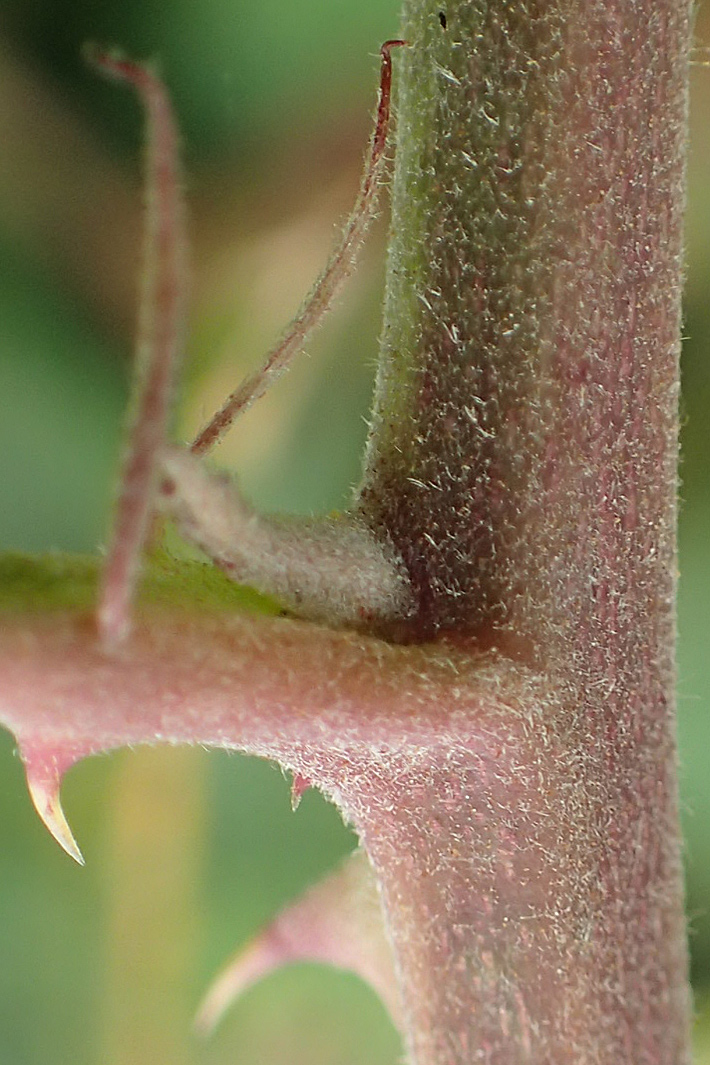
{"points": [[511, 772]]}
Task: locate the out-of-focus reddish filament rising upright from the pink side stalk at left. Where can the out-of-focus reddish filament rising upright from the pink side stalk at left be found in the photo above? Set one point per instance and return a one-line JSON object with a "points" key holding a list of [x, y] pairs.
{"points": [[158, 348]]}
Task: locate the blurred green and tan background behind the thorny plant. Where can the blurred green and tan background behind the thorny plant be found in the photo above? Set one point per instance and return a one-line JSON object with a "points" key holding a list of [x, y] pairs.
{"points": [[188, 853]]}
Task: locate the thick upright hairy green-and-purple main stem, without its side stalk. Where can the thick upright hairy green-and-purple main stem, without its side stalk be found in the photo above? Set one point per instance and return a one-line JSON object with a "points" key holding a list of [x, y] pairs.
{"points": [[523, 461]]}
